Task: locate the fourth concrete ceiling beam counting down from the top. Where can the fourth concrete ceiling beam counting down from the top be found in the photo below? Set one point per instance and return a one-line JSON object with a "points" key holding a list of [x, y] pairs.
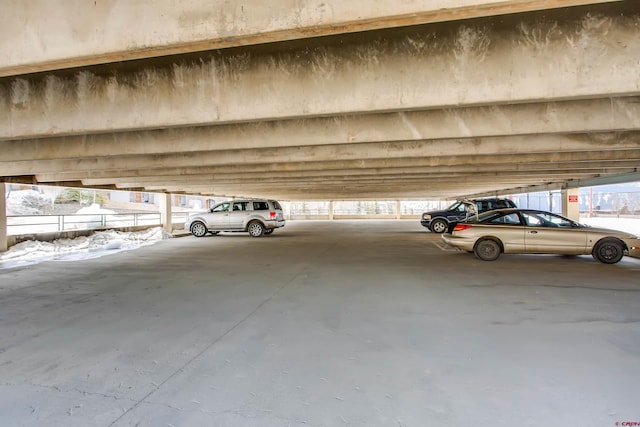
{"points": [[516, 145]]}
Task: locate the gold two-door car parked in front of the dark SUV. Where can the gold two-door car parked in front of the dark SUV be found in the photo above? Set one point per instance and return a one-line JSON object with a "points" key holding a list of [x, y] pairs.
{"points": [[528, 231]]}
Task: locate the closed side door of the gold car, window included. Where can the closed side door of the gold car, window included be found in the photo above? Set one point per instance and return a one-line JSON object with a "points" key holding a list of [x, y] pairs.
{"points": [[549, 233]]}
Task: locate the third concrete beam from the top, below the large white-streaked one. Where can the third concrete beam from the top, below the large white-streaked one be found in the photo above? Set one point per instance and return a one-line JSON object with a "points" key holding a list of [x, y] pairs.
{"points": [[580, 116]]}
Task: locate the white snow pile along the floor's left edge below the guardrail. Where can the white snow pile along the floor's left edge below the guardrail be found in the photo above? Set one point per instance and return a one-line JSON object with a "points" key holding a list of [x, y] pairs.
{"points": [[96, 245]]}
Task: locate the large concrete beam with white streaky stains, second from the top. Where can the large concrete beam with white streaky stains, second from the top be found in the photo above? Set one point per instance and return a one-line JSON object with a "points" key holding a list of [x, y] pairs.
{"points": [[463, 63]]}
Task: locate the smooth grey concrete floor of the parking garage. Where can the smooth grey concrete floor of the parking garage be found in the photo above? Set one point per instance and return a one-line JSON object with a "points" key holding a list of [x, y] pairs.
{"points": [[321, 324]]}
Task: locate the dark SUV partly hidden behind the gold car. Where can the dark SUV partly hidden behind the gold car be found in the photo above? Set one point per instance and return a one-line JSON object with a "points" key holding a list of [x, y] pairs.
{"points": [[438, 221]]}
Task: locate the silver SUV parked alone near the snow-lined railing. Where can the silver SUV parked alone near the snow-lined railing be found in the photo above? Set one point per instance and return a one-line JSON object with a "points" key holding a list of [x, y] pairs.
{"points": [[257, 216]]}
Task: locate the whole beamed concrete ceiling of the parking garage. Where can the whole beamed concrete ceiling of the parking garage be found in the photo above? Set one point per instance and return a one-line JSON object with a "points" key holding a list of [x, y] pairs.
{"points": [[476, 98]]}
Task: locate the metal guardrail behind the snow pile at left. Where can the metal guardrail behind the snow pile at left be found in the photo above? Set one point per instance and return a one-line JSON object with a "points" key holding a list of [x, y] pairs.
{"points": [[26, 224]]}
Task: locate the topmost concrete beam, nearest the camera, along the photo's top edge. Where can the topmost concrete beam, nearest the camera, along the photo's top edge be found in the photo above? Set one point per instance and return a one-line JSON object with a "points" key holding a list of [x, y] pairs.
{"points": [[40, 35]]}
